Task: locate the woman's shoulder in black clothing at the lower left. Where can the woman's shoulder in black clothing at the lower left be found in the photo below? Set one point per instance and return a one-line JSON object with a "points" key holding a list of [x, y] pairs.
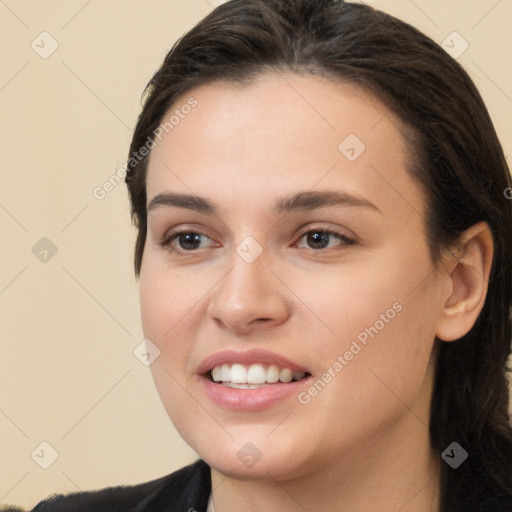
{"points": [[189, 487]]}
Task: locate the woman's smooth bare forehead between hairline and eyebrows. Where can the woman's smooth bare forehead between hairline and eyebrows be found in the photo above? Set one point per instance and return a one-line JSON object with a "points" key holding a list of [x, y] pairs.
{"points": [[283, 132]]}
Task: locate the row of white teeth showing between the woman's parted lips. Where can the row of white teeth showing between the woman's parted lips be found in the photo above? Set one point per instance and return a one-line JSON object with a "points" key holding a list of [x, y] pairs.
{"points": [[253, 376]]}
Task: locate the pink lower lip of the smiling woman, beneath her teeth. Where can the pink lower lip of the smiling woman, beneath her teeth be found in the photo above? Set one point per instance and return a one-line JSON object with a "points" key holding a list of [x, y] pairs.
{"points": [[256, 399]]}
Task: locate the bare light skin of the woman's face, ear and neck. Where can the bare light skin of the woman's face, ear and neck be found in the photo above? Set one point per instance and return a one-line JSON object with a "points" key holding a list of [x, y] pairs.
{"points": [[361, 444]]}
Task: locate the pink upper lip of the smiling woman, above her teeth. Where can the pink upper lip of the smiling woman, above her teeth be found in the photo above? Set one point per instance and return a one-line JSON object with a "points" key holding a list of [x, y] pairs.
{"points": [[252, 356]]}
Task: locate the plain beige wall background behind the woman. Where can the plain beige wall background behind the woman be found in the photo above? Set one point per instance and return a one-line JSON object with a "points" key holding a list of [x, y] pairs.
{"points": [[69, 325]]}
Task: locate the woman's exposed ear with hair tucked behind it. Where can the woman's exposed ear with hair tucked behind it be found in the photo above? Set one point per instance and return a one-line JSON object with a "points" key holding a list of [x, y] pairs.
{"points": [[468, 274]]}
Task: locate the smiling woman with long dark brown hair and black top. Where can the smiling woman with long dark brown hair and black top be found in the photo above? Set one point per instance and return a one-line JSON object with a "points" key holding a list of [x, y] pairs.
{"points": [[324, 257]]}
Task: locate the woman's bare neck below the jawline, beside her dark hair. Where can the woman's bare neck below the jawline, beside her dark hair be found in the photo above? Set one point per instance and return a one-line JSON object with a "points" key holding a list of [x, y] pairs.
{"points": [[391, 471]]}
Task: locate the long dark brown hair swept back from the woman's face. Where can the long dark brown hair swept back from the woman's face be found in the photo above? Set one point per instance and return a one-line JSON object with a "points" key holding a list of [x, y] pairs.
{"points": [[457, 159]]}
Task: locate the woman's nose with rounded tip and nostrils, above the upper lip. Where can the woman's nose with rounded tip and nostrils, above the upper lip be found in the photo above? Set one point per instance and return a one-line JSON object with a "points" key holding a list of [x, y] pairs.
{"points": [[249, 297]]}
